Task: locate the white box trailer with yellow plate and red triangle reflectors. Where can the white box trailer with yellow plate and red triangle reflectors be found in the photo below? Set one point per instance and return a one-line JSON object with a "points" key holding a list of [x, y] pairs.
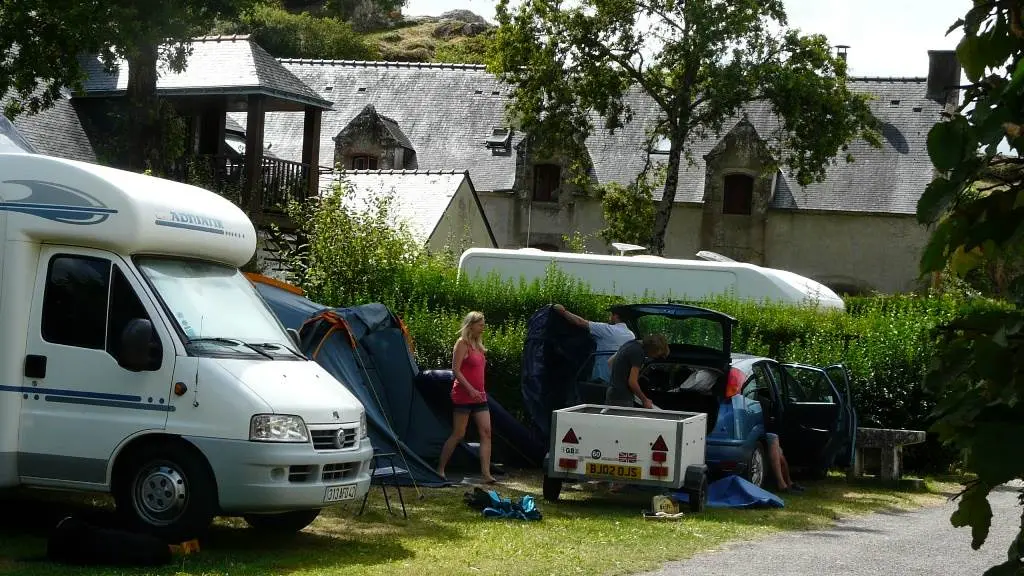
{"points": [[646, 447]]}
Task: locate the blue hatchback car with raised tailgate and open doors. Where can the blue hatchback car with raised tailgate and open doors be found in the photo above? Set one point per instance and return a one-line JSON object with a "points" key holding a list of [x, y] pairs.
{"points": [[745, 396]]}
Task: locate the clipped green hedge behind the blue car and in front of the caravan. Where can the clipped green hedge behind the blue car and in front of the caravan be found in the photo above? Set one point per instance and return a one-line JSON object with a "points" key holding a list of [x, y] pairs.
{"points": [[885, 342]]}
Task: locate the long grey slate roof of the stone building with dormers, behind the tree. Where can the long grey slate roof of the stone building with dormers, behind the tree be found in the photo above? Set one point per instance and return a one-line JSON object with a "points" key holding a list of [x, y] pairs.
{"points": [[448, 111]]}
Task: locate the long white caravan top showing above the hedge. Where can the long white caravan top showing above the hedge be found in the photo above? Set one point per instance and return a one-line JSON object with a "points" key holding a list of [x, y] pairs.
{"points": [[654, 277]]}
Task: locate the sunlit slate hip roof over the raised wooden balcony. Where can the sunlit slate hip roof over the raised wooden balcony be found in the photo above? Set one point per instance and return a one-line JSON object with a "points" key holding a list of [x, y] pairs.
{"points": [[226, 65]]}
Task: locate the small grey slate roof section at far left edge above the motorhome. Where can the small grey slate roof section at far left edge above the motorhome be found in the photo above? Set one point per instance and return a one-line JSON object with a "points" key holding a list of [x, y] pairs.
{"points": [[57, 132]]}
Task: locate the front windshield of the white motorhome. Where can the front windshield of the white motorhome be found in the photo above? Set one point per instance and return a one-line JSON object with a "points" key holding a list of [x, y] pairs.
{"points": [[218, 309]]}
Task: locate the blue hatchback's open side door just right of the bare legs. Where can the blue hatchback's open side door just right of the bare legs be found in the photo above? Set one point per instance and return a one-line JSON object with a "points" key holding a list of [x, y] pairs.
{"points": [[812, 431]]}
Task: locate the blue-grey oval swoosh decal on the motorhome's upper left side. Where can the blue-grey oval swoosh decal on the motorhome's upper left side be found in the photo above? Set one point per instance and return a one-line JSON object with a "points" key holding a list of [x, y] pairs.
{"points": [[55, 202]]}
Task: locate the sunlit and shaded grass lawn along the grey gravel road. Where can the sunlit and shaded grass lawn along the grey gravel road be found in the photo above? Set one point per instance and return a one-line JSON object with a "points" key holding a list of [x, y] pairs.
{"points": [[589, 532]]}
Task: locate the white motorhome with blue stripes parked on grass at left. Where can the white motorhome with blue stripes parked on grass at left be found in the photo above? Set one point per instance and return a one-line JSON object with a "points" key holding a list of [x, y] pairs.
{"points": [[139, 360]]}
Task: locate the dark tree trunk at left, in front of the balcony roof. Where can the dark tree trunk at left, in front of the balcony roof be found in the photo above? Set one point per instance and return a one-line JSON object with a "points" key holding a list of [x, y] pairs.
{"points": [[144, 111]]}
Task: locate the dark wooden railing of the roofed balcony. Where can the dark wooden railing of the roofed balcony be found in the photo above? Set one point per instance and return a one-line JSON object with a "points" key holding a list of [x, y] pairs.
{"points": [[282, 181]]}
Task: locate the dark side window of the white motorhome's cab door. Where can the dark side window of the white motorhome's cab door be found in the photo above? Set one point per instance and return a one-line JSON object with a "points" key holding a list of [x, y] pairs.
{"points": [[76, 299]]}
